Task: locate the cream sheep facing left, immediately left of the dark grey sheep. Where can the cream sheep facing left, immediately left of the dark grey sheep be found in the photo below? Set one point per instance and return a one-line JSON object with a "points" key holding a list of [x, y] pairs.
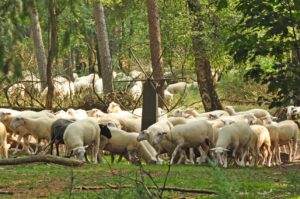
{"points": [[39, 127]]}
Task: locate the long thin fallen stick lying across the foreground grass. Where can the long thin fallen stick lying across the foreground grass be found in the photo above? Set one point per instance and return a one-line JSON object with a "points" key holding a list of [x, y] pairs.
{"points": [[183, 190]]}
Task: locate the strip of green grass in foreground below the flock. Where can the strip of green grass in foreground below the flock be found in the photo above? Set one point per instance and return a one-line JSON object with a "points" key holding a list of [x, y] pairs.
{"points": [[47, 180]]}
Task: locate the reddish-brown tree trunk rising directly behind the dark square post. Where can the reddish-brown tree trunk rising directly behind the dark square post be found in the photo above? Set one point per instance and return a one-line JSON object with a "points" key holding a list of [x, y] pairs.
{"points": [[155, 46]]}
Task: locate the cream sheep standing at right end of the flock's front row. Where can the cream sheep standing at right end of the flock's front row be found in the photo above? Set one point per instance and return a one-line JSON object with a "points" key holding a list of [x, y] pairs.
{"points": [[287, 131]]}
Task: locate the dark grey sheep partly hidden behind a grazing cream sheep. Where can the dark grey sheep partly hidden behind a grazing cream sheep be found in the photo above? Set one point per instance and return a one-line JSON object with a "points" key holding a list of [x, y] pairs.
{"points": [[57, 133]]}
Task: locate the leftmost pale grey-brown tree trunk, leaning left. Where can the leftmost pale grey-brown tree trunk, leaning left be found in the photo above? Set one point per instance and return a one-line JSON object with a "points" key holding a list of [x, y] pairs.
{"points": [[38, 42]]}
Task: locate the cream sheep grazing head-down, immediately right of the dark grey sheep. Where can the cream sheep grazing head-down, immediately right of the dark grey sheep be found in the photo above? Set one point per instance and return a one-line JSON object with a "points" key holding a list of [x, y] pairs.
{"points": [[82, 133]]}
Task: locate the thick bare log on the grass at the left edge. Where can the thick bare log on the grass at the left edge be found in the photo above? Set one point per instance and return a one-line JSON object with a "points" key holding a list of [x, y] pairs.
{"points": [[42, 158]]}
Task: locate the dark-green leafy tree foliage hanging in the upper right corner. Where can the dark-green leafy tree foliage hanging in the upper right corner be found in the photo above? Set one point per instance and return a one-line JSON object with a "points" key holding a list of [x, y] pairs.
{"points": [[270, 30]]}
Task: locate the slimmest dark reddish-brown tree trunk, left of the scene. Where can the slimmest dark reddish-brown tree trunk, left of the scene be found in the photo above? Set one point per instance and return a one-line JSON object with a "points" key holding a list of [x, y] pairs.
{"points": [[52, 53]]}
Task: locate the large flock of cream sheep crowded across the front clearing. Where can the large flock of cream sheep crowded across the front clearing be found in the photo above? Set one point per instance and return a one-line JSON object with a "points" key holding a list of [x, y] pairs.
{"points": [[248, 138]]}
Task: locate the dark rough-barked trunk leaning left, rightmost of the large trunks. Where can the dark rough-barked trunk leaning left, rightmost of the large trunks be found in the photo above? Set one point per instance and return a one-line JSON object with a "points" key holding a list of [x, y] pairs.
{"points": [[207, 91]]}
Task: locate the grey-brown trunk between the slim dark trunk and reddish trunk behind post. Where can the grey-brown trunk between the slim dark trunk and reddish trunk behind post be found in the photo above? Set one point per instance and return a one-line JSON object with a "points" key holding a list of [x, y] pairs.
{"points": [[103, 45]]}
